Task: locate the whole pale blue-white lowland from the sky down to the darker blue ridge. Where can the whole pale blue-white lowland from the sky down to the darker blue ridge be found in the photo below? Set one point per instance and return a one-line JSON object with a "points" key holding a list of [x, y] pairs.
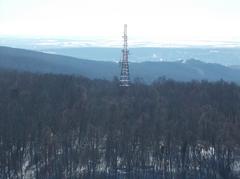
{"points": [[100, 49]]}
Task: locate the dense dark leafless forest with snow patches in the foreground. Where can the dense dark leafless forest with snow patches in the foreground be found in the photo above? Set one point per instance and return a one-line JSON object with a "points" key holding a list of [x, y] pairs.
{"points": [[60, 126]]}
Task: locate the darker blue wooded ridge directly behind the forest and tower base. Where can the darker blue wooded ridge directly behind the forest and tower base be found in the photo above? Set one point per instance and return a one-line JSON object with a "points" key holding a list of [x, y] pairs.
{"points": [[182, 70]]}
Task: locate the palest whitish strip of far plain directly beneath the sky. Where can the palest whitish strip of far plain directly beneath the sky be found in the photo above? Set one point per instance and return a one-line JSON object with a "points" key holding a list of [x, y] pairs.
{"points": [[78, 42]]}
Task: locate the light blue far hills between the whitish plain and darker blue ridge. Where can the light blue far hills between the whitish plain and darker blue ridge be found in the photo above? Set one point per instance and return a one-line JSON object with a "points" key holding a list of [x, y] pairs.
{"points": [[224, 56]]}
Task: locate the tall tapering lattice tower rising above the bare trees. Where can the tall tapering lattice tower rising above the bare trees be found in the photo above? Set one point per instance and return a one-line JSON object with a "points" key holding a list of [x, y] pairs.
{"points": [[124, 76]]}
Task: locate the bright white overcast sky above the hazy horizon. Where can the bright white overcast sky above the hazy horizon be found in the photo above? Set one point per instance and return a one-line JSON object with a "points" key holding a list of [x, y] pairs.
{"points": [[159, 20]]}
